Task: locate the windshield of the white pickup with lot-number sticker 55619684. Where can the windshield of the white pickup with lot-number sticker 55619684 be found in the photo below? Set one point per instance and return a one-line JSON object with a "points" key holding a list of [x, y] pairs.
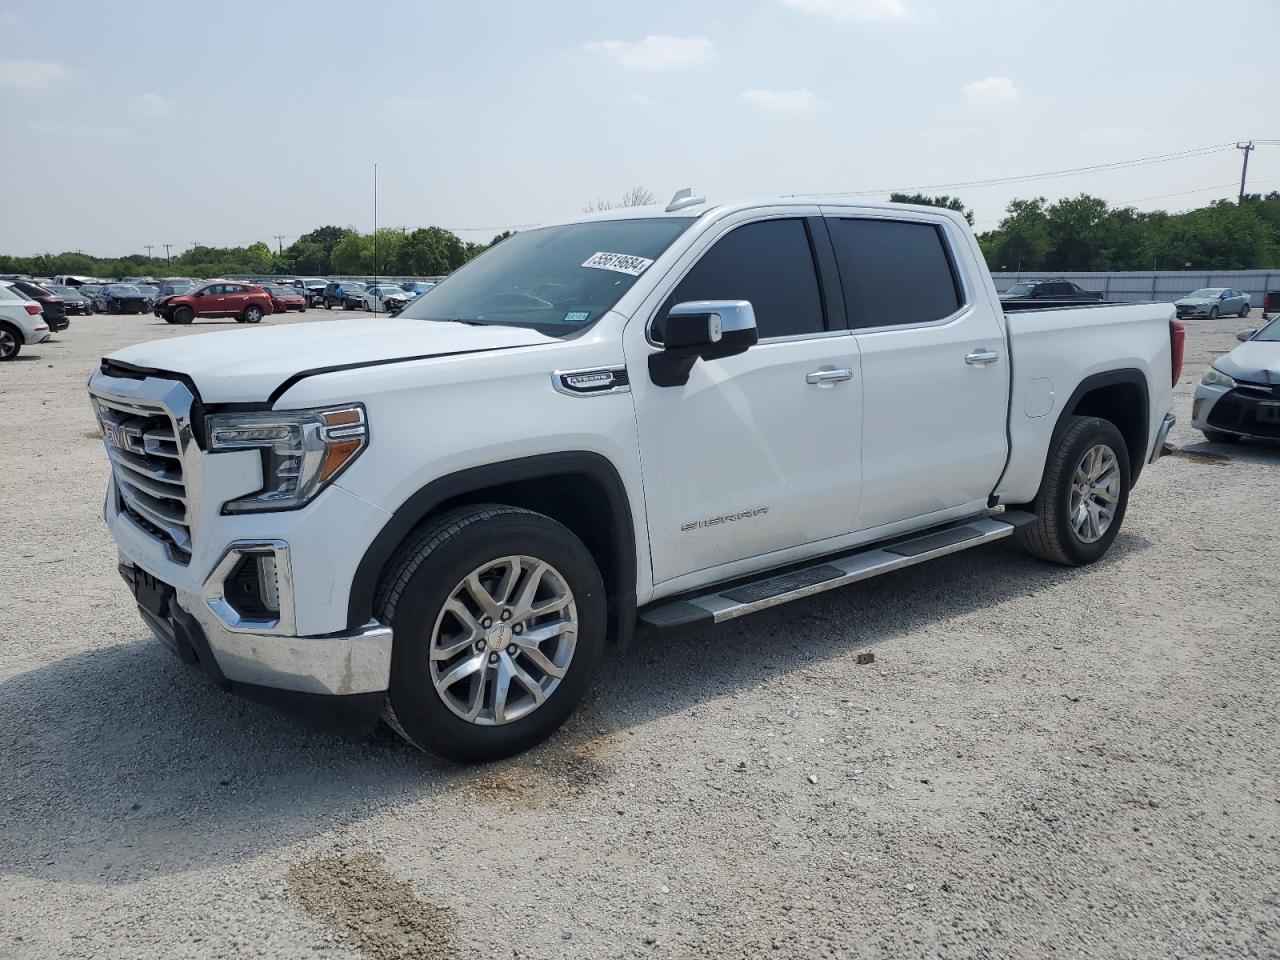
{"points": [[555, 280]]}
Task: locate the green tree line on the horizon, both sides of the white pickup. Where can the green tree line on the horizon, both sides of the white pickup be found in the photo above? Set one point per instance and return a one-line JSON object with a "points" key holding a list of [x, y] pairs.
{"points": [[1035, 236]]}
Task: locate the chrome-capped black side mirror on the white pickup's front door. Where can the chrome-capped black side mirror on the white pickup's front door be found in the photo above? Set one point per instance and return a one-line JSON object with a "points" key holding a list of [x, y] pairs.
{"points": [[701, 330]]}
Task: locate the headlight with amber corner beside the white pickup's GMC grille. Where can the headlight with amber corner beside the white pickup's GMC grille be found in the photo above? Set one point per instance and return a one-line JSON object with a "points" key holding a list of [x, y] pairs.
{"points": [[303, 451]]}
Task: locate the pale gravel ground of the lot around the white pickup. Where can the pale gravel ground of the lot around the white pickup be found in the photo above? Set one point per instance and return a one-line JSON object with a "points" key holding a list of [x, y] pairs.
{"points": [[1040, 762]]}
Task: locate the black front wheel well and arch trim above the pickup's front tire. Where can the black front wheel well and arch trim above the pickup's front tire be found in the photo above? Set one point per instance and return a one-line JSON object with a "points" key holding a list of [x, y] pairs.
{"points": [[582, 491]]}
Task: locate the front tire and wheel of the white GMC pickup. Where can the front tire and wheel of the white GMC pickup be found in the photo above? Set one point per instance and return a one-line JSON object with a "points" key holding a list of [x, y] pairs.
{"points": [[500, 623]]}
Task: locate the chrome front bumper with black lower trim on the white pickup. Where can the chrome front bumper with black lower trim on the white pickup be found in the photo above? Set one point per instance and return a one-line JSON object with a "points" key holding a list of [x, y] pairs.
{"points": [[337, 682]]}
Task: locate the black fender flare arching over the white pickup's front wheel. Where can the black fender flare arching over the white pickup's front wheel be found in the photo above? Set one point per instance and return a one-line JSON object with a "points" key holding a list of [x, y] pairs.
{"points": [[419, 506]]}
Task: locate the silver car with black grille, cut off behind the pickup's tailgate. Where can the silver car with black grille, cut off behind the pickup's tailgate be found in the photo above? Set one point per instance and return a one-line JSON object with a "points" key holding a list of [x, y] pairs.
{"points": [[1240, 394]]}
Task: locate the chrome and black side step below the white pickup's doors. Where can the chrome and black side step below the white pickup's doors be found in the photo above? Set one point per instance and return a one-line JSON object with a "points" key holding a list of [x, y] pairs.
{"points": [[748, 597]]}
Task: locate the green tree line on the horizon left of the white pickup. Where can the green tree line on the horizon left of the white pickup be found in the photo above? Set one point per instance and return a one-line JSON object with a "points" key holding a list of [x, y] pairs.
{"points": [[429, 252]]}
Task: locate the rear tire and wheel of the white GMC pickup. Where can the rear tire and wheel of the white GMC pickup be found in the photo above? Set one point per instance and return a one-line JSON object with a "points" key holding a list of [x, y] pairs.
{"points": [[1084, 497]]}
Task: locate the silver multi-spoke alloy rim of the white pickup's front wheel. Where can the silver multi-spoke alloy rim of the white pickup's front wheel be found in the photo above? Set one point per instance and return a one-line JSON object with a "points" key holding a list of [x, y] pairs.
{"points": [[504, 641]]}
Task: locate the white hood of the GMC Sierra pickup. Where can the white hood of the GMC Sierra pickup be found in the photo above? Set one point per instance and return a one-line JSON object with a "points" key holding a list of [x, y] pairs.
{"points": [[245, 367]]}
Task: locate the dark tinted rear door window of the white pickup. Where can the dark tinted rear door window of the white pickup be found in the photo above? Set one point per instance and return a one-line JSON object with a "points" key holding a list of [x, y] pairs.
{"points": [[894, 272]]}
